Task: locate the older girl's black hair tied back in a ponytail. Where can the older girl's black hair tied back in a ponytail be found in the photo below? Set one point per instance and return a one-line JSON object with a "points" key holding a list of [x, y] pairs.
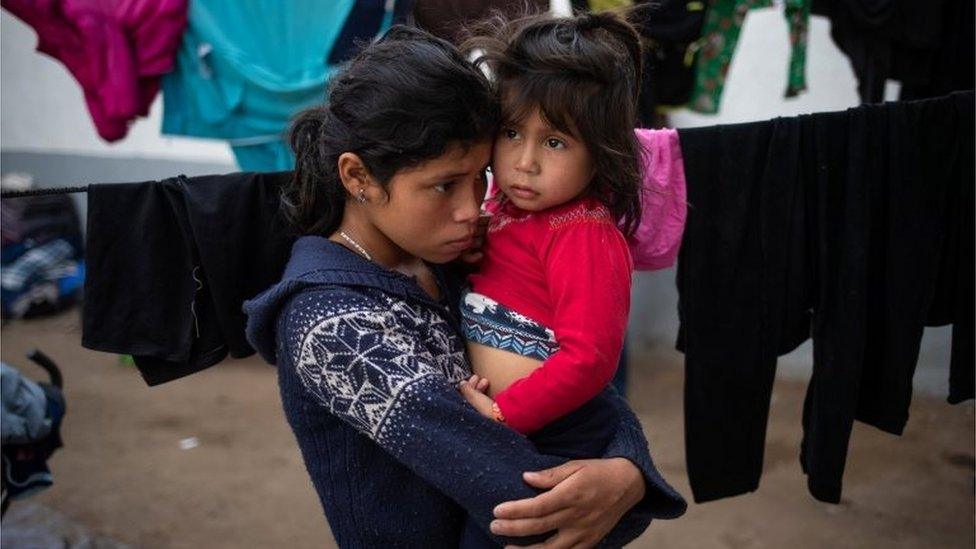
{"points": [[401, 101]]}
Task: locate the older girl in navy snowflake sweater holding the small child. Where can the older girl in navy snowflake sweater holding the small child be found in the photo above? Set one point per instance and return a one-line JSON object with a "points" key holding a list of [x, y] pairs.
{"points": [[363, 326]]}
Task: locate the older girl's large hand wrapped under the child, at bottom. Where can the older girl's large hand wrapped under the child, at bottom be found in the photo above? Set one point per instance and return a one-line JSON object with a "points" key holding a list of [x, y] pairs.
{"points": [[584, 501]]}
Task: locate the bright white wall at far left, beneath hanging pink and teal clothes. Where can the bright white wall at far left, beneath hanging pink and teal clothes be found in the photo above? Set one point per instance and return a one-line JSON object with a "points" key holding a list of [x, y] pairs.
{"points": [[42, 109]]}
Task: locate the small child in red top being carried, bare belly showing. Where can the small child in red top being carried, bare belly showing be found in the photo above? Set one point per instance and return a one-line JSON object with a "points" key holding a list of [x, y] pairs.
{"points": [[546, 314]]}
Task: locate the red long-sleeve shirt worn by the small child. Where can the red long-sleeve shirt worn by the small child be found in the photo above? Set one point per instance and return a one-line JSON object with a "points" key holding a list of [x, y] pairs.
{"points": [[568, 268]]}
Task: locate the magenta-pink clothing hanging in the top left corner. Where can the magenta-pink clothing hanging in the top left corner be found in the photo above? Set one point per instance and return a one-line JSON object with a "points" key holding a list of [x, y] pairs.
{"points": [[117, 50]]}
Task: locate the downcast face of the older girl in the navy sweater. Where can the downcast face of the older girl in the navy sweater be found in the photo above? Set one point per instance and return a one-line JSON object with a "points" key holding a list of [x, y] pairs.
{"points": [[432, 209]]}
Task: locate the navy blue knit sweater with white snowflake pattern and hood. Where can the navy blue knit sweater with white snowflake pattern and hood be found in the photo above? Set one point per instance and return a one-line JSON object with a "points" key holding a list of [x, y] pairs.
{"points": [[368, 365]]}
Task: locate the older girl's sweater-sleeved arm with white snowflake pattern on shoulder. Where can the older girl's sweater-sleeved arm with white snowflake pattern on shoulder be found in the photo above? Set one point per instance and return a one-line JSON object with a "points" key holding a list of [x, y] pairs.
{"points": [[385, 386]]}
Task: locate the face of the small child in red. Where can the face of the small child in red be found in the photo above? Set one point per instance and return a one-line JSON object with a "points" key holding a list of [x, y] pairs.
{"points": [[537, 166]]}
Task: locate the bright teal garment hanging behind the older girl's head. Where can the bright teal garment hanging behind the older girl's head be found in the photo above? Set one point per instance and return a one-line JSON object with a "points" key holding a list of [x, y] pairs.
{"points": [[245, 67]]}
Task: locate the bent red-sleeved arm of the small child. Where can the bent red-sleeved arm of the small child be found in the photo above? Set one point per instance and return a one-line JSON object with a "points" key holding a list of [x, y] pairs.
{"points": [[588, 269]]}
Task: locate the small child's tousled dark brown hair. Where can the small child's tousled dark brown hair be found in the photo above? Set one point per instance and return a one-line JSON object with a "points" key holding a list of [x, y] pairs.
{"points": [[584, 74]]}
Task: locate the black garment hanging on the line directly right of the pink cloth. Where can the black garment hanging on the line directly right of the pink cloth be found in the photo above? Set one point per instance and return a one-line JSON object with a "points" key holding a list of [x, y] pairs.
{"points": [[744, 290]]}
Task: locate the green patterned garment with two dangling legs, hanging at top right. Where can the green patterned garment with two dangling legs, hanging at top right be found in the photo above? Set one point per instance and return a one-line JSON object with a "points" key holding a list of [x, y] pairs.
{"points": [[720, 35]]}
